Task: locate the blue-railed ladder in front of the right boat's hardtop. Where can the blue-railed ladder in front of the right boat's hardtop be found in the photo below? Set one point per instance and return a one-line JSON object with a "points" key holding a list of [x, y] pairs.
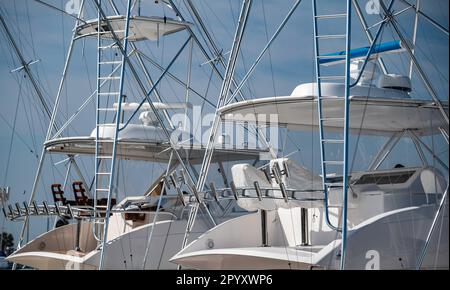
{"points": [[335, 165]]}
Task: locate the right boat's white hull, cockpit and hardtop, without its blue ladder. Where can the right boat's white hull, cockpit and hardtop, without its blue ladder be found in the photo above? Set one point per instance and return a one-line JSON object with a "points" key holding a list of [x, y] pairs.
{"points": [[390, 210]]}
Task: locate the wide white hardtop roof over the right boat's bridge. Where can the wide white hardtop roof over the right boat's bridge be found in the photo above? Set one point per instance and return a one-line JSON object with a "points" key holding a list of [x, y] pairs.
{"points": [[373, 110]]}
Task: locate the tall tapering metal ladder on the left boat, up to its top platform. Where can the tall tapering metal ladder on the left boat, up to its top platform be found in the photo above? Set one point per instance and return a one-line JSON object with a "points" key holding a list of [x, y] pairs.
{"points": [[110, 84]]}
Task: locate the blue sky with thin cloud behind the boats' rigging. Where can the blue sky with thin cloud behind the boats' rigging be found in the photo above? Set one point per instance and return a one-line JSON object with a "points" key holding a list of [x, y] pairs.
{"points": [[44, 34]]}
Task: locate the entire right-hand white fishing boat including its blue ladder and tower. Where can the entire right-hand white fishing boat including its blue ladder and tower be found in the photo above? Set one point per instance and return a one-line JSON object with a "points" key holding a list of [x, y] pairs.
{"points": [[387, 216]]}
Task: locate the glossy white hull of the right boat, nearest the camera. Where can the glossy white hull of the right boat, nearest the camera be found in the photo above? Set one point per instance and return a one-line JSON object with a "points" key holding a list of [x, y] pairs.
{"points": [[392, 240]]}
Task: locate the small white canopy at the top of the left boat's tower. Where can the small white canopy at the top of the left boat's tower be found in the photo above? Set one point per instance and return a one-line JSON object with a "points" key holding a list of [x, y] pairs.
{"points": [[141, 27]]}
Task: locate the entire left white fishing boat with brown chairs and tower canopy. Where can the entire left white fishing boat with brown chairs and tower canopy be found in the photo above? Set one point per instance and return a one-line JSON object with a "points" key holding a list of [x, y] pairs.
{"points": [[81, 239]]}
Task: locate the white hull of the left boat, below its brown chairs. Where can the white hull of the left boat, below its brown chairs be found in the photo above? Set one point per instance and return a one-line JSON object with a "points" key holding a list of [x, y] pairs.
{"points": [[54, 250]]}
